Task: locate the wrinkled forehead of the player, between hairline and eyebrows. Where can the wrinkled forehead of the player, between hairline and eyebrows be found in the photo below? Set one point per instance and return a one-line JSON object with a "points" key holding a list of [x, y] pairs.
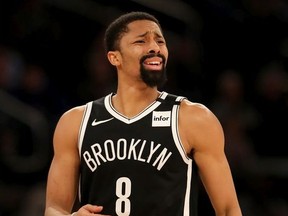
{"points": [[141, 27]]}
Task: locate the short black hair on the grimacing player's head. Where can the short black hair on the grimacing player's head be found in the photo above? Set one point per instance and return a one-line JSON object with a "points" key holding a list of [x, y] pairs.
{"points": [[118, 27]]}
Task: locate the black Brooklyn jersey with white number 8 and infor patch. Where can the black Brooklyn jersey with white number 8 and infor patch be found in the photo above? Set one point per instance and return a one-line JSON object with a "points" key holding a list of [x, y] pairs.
{"points": [[135, 166]]}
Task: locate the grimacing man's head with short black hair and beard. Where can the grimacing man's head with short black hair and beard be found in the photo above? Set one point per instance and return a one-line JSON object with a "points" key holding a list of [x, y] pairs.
{"points": [[134, 43]]}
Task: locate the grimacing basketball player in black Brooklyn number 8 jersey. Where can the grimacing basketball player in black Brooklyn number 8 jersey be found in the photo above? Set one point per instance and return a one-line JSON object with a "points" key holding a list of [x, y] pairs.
{"points": [[135, 152]]}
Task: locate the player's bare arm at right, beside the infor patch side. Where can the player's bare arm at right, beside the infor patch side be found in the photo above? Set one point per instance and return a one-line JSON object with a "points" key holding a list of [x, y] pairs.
{"points": [[203, 135]]}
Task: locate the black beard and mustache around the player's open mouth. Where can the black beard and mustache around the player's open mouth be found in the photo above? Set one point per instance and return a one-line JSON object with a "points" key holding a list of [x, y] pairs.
{"points": [[153, 78]]}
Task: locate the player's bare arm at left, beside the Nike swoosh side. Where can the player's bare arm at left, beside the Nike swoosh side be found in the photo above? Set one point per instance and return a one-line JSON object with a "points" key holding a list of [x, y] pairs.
{"points": [[63, 175]]}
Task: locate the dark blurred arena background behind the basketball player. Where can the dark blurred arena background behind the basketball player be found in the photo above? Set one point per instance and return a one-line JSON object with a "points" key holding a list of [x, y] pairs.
{"points": [[230, 55]]}
